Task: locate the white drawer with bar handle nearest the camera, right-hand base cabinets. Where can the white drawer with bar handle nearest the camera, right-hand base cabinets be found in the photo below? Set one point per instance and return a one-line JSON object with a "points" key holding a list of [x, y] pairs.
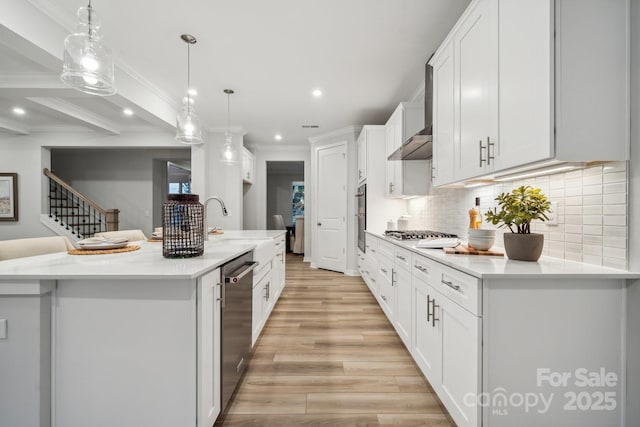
{"points": [[460, 288]]}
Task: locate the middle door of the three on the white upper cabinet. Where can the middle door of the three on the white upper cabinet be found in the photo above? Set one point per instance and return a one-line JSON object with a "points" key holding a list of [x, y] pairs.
{"points": [[475, 47]]}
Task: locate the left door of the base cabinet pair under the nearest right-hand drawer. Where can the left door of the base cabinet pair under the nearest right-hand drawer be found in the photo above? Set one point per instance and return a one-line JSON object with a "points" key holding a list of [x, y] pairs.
{"points": [[427, 334]]}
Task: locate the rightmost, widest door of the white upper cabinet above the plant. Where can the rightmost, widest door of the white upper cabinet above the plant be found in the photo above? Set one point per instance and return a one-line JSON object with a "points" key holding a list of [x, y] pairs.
{"points": [[526, 83]]}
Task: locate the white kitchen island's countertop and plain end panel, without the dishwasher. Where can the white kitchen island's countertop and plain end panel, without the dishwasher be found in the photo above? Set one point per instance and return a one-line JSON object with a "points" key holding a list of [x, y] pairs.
{"points": [[128, 339]]}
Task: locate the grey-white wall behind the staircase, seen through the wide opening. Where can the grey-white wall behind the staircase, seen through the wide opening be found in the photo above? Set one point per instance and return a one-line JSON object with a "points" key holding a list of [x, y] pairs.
{"points": [[117, 179]]}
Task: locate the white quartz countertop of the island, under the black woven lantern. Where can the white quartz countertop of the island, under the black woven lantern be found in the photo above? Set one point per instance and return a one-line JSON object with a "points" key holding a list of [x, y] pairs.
{"points": [[145, 263]]}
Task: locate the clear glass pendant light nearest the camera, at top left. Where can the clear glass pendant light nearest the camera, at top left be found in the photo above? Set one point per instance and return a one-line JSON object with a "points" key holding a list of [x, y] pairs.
{"points": [[87, 63]]}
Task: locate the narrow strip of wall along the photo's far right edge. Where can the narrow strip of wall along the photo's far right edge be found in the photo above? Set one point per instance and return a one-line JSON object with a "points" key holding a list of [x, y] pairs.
{"points": [[633, 333]]}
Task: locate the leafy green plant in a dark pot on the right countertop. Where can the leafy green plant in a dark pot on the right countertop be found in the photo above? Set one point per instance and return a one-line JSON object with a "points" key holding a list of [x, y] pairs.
{"points": [[517, 209]]}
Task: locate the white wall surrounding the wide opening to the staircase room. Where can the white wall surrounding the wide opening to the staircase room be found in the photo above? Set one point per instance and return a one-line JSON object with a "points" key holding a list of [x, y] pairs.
{"points": [[29, 154]]}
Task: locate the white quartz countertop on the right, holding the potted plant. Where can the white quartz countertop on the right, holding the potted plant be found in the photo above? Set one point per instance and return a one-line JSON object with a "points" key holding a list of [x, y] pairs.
{"points": [[495, 267]]}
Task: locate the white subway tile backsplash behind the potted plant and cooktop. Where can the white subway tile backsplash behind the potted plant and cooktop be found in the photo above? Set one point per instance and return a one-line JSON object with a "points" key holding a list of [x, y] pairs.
{"points": [[592, 212]]}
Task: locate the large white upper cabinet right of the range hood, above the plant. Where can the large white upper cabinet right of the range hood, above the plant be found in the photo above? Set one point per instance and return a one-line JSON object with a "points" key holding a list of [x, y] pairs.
{"points": [[516, 84]]}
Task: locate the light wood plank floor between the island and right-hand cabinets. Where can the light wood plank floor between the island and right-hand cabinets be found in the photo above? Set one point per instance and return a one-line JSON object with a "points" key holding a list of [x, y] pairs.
{"points": [[329, 357]]}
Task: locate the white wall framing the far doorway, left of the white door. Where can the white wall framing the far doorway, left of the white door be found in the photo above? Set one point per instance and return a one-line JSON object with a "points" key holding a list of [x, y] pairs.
{"points": [[255, 198]]}
